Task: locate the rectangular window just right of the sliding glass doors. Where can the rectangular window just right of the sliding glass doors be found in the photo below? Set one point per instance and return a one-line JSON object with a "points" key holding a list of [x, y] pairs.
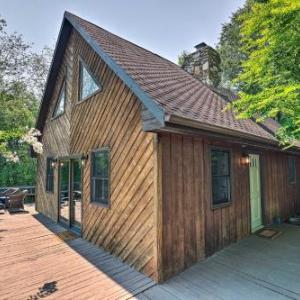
{"points": [[100, 176]]}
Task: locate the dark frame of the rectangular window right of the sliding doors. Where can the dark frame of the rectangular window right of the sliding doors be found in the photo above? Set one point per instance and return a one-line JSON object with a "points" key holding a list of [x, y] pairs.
{"points": [[92, 200]]}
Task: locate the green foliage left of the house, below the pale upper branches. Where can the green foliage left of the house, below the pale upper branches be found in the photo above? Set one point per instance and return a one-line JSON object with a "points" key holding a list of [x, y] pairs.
{"points": [[17, 113]]}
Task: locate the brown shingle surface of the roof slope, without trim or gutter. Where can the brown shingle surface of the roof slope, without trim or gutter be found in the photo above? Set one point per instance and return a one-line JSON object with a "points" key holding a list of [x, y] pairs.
{"points": [[172, 88]]}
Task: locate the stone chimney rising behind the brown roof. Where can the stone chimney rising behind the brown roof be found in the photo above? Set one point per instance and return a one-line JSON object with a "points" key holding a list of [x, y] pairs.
{"points": [[204, 64]]}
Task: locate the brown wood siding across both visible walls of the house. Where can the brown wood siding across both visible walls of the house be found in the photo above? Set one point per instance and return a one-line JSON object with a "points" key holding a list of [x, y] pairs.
{"points": [[160, 218]]}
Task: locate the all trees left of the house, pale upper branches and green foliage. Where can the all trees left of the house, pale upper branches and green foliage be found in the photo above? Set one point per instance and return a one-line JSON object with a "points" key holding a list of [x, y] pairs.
{"points": [[22, 77]]}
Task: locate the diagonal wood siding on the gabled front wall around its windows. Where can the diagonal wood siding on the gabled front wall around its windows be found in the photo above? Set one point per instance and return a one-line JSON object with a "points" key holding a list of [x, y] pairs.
{"points": [[110, 118]]}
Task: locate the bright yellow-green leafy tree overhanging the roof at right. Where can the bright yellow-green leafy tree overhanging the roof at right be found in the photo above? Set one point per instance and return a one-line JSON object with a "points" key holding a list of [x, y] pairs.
{"points": [[269, 82]]}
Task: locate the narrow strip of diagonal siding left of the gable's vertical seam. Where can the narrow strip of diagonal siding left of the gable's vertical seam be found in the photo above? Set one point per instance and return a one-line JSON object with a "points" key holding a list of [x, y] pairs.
{"points": [[56, 138]]}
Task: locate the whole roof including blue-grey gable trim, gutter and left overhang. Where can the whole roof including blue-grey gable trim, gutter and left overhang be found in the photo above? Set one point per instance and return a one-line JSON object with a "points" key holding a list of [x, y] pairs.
{"points": [[170, 93]]}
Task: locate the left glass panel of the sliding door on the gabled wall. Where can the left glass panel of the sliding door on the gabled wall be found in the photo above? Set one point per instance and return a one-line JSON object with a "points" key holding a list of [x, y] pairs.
{"points": [[64, 193]]}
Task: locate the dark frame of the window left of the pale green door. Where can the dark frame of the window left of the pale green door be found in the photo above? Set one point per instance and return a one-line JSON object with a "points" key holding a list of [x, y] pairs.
{"points": [[230, 173]]}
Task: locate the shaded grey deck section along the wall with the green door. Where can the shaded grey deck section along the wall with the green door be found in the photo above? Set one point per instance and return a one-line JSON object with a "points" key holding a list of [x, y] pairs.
{"points": [[255, 268]]}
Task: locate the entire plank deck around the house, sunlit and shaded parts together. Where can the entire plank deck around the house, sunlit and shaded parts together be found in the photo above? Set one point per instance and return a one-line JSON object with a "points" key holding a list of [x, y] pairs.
{"points": [[36, 264]]}
